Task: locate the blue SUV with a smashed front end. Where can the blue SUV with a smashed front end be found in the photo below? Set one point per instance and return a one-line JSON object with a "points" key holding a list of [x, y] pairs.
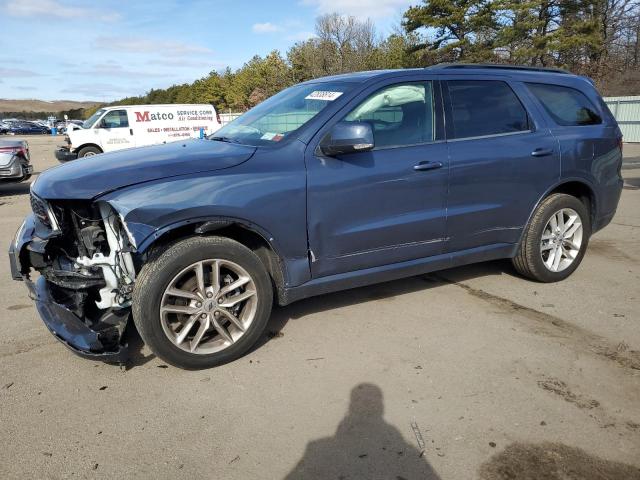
{"points": [[331, 184]]}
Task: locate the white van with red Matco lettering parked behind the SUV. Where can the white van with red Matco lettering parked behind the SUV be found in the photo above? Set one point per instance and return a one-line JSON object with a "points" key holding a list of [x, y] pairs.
{"points": [[128, 126]]}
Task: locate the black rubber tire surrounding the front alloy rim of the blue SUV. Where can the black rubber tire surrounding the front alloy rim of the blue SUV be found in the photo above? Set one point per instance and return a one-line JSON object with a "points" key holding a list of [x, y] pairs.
{"points": [[164, 265]]}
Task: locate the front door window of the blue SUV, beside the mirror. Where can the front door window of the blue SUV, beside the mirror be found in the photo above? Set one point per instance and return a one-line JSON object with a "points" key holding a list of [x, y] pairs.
{"points": [[399, 115]]}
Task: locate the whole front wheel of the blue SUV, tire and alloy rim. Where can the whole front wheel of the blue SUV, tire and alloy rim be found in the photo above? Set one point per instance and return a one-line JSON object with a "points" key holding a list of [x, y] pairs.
{"points": [[159, 276]]}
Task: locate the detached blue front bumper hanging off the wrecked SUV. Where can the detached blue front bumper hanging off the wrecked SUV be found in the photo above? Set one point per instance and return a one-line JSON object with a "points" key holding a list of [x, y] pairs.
{"points": [[99, 338]]}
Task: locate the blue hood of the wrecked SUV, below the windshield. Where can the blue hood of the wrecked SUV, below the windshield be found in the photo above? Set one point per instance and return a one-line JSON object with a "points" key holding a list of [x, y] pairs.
{"points": [[89, 177]]}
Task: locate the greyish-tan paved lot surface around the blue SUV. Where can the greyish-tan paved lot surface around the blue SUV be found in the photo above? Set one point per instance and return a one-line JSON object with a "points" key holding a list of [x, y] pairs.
{"points": [[472, 372]]}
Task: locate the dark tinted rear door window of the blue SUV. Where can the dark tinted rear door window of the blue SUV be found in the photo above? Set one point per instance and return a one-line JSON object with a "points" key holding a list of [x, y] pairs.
{"points": [[485, 107]]}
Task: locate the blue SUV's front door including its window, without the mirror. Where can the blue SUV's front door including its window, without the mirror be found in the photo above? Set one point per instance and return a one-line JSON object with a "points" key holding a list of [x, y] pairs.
{"points": [[387, 205]]}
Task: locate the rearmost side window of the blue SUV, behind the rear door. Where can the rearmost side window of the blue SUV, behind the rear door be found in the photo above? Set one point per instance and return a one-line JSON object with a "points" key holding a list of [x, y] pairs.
{"points": [[567, 106]]}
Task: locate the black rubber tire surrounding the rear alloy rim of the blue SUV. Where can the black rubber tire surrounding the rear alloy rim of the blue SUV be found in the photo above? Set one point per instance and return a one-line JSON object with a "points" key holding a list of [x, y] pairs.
{"points": [[528, 260]]}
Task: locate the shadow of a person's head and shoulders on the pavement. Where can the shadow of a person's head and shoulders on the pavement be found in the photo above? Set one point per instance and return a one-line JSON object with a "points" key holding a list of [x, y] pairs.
{"points": [[363, 447]]}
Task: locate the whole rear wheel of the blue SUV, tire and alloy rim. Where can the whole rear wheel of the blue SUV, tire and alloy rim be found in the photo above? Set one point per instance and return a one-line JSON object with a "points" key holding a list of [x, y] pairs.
{"points": [[533, 257]]}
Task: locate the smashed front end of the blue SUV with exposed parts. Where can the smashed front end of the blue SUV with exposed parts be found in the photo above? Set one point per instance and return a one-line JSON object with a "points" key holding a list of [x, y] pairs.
{"points": [[76, 259]]}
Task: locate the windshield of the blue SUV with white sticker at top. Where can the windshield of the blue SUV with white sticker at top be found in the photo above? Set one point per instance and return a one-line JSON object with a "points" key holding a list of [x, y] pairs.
{"points": [[279, 116]]}
